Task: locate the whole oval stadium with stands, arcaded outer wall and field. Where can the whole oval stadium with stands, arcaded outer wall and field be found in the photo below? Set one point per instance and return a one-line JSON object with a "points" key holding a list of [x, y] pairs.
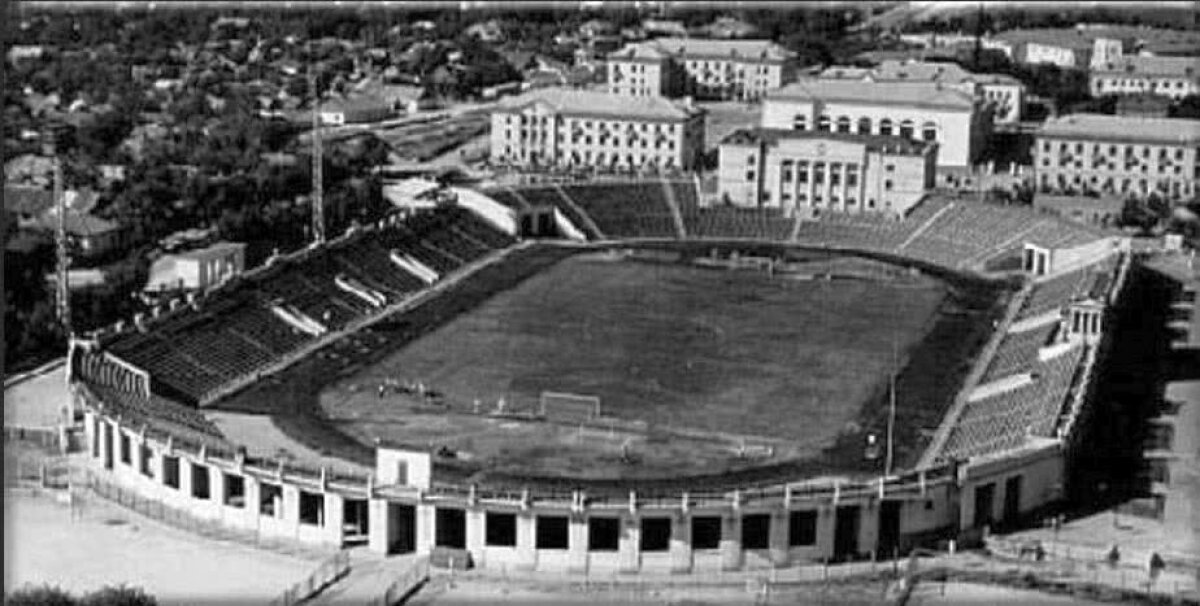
{"points": [[617, 376]]}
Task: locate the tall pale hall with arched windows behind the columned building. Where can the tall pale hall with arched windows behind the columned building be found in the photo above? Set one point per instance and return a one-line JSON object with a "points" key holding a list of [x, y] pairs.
{"points": [[921, 111]]}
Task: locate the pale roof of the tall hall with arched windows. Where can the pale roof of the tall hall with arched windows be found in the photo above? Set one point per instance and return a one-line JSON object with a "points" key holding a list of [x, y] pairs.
{"points": [[926, 94]]}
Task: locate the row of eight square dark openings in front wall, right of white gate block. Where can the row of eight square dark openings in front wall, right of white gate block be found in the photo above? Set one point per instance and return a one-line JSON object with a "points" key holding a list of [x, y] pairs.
{"points": [[553, 532]]}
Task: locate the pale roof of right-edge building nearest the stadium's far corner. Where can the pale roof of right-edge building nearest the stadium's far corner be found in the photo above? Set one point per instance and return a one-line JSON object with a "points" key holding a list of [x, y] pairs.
{"points": [[1119, 128]]}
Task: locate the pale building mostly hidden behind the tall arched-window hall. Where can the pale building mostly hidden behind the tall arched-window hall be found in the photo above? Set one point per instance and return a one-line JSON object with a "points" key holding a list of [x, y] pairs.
{"points": [[1005, 93]]}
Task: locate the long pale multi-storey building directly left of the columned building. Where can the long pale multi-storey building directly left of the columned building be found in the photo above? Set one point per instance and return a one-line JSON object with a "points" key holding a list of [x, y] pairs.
{"points": [[571, 128]]}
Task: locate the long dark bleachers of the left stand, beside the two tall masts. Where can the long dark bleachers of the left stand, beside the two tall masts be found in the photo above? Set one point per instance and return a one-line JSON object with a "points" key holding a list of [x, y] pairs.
{"points": [[196, 352]]}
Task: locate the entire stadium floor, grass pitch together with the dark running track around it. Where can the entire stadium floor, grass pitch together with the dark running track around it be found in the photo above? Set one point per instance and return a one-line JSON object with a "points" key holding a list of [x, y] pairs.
{"points": [[693, 359]]}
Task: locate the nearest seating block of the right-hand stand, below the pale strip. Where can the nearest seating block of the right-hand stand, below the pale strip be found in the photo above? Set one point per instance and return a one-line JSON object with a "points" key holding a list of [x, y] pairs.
{"points": [[1005, 421]]}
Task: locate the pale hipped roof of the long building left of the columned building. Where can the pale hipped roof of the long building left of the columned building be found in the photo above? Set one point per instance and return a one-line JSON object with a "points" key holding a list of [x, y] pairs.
{"points": [[575, 101]]}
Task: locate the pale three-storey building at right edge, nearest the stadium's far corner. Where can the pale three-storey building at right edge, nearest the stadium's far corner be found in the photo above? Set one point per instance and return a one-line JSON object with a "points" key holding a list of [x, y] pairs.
{"points": [[1121, 155]]}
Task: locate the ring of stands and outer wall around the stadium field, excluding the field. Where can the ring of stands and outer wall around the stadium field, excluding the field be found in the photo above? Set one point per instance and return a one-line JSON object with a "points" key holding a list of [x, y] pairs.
{"points": [[1001, 454]]}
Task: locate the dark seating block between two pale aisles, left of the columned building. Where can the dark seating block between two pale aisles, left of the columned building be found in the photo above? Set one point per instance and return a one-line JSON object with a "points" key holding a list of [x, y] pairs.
{"points": [[626, 211]]}
